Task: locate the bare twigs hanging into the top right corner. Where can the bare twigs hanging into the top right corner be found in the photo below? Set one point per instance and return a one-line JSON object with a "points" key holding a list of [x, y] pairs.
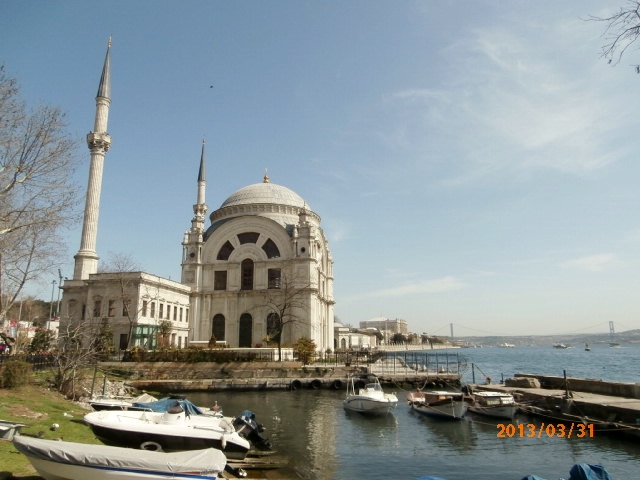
{"points": [[621, 32]]}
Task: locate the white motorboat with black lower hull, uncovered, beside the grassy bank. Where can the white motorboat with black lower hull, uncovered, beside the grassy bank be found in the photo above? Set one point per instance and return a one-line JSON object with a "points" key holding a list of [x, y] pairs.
{"points": [[171, 430]]}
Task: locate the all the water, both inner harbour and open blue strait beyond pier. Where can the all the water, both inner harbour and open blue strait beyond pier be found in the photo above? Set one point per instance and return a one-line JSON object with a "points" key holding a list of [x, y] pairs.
{"points": [[323, 442]]}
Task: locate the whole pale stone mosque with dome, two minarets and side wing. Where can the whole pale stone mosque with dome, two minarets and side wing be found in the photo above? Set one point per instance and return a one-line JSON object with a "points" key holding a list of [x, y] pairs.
{"points": [[259, 272]]}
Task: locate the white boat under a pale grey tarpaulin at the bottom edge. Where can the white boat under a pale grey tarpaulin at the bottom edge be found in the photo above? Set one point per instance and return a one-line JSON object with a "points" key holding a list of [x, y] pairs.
{"points": [[60, 460]]}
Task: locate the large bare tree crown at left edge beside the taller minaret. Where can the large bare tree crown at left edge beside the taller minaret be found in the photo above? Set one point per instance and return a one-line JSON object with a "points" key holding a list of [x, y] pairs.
{"points": [[37, 194]]}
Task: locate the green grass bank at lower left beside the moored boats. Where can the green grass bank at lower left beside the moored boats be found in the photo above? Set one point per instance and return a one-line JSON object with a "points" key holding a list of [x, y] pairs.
{"points": [[39, 408]]}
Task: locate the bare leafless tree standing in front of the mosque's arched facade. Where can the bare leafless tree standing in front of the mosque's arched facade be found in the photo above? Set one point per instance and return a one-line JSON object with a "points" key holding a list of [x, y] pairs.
{"points": [[284, 303]]}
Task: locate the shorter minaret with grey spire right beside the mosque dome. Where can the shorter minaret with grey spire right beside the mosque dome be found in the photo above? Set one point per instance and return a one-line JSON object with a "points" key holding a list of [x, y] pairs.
{"points": [[194, 237]]}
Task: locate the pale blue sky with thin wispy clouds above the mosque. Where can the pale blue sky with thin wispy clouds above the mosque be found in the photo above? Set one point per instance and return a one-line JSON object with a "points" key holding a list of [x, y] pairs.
{"points": [[474, 162]]}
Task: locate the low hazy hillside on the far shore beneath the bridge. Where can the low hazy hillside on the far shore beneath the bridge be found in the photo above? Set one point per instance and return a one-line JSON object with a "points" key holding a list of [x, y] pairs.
{"points": [[629, 336]]}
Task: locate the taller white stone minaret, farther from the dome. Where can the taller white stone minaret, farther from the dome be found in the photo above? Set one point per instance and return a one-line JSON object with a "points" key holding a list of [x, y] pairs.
{"points": [[99, 142]]}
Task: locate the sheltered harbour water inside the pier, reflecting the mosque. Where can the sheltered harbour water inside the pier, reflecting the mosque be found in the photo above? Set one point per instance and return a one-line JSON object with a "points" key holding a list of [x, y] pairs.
{"points": [[323, 442]]}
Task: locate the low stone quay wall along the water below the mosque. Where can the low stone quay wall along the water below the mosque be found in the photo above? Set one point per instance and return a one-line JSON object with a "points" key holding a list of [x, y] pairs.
{"points": [[205, 376]]}
